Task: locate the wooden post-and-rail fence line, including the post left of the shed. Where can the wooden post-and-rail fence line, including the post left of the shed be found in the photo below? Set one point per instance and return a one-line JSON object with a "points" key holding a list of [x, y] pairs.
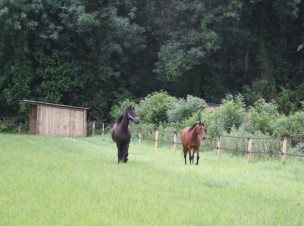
{"points": [[219, 145]]}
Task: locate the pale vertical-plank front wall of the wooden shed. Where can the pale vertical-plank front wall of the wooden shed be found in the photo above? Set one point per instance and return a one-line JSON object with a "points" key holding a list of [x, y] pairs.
{"points": [[60, 121]]}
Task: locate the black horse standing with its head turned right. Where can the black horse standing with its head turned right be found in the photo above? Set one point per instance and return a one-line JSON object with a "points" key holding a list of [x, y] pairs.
{"points": [[121, 132]]}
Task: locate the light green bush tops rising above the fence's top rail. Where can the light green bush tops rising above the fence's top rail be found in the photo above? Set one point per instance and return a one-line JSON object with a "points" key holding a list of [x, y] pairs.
{"points": [[160, 110]]}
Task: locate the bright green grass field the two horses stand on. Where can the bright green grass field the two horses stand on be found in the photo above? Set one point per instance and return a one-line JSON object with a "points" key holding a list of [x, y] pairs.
{"points": [[70, 181]]}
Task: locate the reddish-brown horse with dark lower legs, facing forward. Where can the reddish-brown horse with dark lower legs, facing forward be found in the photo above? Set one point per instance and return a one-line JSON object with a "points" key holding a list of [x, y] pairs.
{"points": [[191, 139]]}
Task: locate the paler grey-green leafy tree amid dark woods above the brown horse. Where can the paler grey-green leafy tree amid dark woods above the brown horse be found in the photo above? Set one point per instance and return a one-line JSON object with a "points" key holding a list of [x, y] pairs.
{"points": [[185, 49]]}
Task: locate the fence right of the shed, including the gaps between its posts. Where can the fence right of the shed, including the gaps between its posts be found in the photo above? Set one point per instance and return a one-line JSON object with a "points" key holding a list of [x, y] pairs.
{"points": [[251, 147]]}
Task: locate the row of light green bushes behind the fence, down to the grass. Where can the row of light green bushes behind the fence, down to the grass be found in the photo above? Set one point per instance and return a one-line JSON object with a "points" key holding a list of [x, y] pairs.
{"points": [[231, 120]]}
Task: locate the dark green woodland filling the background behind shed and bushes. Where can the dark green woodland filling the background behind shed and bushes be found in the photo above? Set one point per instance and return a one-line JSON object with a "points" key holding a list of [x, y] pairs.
{"points": [[96, 53]]}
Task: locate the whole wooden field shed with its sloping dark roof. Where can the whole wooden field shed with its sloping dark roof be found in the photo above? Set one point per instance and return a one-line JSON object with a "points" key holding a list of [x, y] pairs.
{"points": [[56, 119]]}
